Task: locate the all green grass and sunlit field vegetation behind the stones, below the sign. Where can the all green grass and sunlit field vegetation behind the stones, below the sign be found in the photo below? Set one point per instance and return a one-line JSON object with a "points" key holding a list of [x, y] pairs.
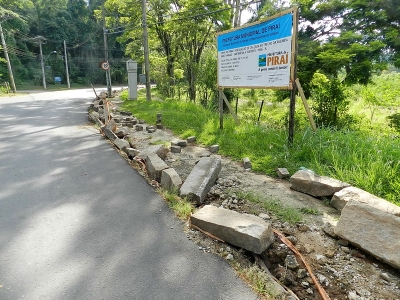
{"points": [[363, 148]]}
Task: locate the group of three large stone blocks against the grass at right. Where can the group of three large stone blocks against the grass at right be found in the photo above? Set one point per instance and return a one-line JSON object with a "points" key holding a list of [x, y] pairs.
{"points": [[366, 221]]}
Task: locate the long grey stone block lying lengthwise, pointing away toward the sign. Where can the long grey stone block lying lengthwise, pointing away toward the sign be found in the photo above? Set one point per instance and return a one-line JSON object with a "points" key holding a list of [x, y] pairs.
{"points": [[201, 179]]}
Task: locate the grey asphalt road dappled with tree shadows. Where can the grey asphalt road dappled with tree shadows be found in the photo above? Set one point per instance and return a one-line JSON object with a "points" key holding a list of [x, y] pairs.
{"points": [[77, 222]]}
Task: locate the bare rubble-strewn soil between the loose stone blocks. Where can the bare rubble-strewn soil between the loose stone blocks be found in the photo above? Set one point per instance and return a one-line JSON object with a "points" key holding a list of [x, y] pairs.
{"points": [[344, 271]]}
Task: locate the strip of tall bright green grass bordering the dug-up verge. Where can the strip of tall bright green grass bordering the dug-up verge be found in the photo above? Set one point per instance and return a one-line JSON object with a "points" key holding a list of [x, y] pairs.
{"points": [[364, 159]]}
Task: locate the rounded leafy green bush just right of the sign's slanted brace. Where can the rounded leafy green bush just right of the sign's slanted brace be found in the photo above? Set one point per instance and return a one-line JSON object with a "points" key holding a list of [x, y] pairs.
{"points": [[330, 102]]}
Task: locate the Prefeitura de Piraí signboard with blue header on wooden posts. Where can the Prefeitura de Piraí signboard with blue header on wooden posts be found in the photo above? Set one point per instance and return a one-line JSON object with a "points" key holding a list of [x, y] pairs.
{"points": [[260, 55]]}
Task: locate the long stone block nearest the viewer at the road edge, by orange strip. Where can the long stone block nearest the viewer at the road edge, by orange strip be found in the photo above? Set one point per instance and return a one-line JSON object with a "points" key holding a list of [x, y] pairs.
{"points": [[242, 230]]}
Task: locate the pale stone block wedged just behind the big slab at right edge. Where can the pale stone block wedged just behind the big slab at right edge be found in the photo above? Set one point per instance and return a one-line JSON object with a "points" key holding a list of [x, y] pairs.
{"points": [[340, 199]]}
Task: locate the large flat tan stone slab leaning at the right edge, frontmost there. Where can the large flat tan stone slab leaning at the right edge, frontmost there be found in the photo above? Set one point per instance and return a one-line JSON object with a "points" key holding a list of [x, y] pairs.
{"points": [[375, 231]]}
